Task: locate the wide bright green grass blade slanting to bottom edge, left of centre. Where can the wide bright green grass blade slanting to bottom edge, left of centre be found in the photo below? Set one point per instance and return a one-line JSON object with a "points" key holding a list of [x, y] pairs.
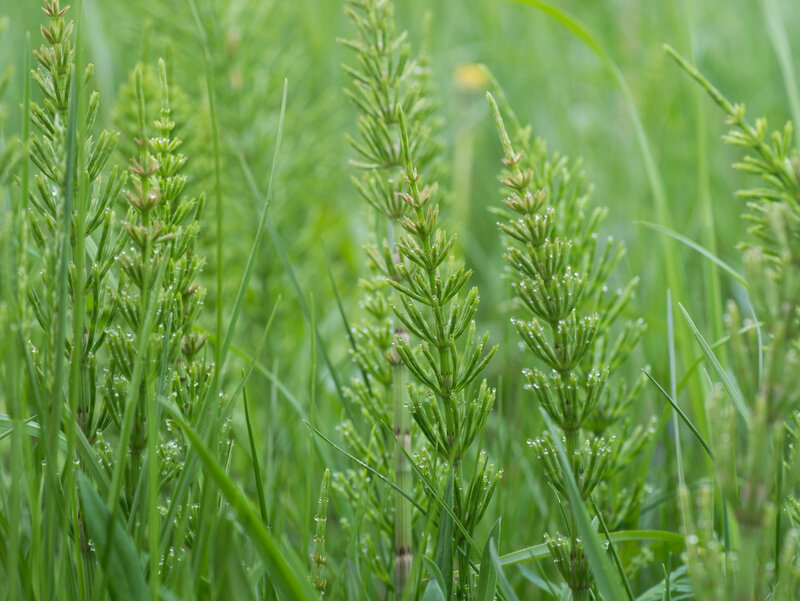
{"points": [[285, 576]]}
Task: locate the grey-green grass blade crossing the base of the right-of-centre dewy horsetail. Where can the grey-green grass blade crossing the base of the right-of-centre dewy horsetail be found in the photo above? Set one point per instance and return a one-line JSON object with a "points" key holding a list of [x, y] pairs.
{"points": [[601, 567]]}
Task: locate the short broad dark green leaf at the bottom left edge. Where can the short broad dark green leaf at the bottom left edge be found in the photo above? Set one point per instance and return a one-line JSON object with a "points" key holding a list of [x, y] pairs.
{"points": [[115, 548]]}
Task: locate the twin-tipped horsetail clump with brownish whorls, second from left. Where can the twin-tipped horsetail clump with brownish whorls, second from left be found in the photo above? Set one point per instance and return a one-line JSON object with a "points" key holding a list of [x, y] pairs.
{"points": [[158, 265]]}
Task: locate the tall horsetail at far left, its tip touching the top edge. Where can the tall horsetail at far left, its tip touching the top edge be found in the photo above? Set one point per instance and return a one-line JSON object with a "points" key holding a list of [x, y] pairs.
{"points": [[89, 199]]}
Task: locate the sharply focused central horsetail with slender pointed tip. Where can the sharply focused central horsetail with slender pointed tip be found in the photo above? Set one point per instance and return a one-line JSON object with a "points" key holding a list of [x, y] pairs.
{"points": [[450, 411]]}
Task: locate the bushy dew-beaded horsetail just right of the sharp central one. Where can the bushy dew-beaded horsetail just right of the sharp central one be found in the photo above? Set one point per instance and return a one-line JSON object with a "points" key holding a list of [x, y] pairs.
{"points": [[560, 274]]}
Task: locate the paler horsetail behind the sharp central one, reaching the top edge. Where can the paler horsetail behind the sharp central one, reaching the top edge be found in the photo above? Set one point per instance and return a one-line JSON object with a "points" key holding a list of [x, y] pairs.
{"points": [[384, 77]]}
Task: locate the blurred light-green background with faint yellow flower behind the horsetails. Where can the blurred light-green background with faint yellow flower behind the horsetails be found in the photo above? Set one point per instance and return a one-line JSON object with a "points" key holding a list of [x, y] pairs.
{"points": [[550, 78]]}
